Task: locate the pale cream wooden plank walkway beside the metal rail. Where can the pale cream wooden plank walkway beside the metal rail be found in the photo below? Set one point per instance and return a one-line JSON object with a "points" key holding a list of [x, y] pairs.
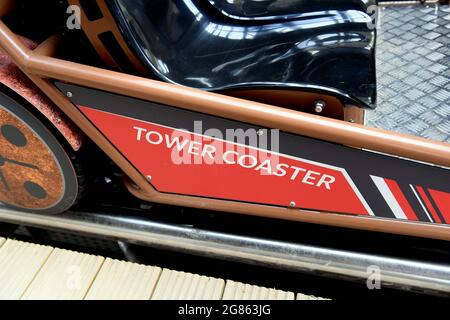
{"points": [[31, 271]]}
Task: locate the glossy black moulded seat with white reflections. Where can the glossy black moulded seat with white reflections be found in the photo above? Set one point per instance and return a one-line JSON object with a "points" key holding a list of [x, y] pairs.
{"points": [[214, 45]]}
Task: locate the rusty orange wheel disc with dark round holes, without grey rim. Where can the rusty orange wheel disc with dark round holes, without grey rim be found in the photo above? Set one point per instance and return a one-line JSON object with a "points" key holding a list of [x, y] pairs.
{"points": [[30, 177]]}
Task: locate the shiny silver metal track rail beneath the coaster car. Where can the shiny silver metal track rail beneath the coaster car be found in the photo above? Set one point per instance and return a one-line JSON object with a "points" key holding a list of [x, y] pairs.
{"points": [[400, 273]]}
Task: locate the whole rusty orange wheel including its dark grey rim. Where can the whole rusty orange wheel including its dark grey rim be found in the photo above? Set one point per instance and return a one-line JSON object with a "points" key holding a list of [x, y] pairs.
{"points": [[36, 173]]}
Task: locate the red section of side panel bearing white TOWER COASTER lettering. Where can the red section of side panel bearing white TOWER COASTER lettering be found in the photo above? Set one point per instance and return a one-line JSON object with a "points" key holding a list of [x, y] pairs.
{"points": [[192, 164]]}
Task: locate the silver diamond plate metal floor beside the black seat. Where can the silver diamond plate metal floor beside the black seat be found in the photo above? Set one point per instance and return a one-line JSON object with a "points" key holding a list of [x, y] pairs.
{"points": [[413, 71]]}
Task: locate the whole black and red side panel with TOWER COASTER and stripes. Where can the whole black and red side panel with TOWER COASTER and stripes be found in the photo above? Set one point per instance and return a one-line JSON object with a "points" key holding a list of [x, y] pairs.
{"points": [[185, 152]]}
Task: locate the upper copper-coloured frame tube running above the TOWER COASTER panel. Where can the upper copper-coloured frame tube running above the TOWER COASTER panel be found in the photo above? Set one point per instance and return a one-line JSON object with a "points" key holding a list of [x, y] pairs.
{"points": [[215, 104]]}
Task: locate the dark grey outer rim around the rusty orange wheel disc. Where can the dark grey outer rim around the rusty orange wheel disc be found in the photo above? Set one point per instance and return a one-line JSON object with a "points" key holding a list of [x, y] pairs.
{"points": [[70, 171]]}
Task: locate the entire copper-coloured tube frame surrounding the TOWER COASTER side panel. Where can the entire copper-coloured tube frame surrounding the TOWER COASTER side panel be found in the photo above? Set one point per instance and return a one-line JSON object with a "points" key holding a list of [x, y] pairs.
{"points": [[39, 67]]}
